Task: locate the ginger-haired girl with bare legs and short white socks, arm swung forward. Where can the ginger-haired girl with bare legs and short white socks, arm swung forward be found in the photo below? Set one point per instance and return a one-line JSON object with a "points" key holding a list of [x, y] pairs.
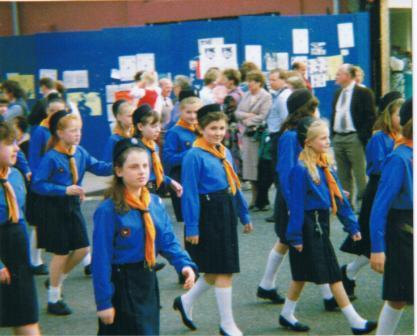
{"points": [[58, 180]]}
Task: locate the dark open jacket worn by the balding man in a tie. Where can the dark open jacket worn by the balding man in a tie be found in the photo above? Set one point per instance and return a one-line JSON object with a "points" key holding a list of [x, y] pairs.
{"points": [[362, 109]]}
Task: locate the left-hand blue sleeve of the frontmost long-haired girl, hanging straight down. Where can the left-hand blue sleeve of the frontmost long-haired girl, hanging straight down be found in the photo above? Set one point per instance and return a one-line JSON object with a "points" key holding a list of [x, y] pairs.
{"points": [[103, 235]]}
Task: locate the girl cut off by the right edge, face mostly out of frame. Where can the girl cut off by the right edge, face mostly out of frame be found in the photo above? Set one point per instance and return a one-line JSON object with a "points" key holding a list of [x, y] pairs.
{"points": [[392, 227]]}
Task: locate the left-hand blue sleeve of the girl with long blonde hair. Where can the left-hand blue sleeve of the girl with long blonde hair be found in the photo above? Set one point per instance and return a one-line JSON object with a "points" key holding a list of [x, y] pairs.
{"points": [[298, 186]]}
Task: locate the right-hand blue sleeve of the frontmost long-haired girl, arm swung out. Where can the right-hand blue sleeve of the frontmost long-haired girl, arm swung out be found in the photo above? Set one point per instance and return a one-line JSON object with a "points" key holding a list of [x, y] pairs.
{"points": [[169, 246]]}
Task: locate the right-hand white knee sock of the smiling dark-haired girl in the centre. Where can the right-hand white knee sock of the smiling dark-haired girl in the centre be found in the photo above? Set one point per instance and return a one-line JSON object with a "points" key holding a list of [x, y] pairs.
{"points": [[224, 304]]}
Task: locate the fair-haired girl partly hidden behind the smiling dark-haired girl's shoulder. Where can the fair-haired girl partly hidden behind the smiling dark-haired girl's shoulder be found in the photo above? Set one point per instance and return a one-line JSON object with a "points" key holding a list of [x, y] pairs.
{"points": [[178, 140]]}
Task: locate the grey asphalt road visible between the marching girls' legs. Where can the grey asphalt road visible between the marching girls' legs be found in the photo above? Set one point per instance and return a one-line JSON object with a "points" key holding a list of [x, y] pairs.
{"points": [[253, 316]]}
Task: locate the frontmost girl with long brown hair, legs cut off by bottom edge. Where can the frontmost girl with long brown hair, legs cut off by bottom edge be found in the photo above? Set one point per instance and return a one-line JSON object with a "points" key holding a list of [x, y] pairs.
{"points": [[130, 228]]}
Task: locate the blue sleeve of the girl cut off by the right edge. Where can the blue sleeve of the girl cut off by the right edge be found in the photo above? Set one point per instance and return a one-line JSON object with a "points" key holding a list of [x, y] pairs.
{"points": [[389, 186]]}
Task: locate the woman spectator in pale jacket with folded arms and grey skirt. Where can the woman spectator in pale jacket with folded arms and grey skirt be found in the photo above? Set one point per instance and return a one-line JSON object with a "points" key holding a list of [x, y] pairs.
{"points": [[251, 113]]}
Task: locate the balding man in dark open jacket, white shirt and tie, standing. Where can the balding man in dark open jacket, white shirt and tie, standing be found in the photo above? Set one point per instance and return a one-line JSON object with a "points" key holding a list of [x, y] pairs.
{"points": [[351, 124]]}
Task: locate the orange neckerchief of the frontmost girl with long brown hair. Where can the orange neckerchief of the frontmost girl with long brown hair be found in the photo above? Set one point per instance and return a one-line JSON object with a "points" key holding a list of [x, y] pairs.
{"points": [[142, 204]]}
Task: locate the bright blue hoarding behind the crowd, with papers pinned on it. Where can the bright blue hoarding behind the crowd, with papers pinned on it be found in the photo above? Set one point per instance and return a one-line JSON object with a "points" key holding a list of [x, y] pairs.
{"points": [[174, 46]]}
